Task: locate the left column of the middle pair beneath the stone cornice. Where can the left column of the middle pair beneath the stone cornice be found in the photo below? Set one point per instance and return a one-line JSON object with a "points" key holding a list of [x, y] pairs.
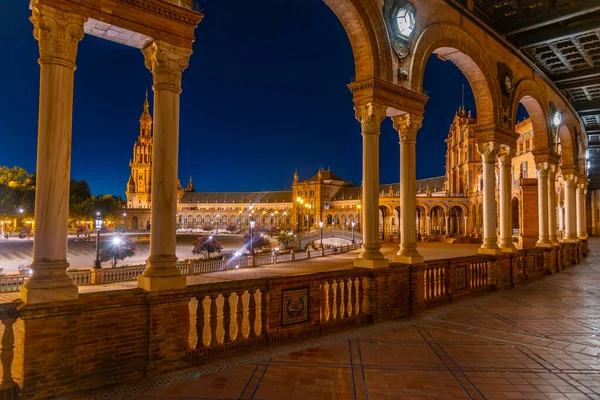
{"points": [[370, 116]]}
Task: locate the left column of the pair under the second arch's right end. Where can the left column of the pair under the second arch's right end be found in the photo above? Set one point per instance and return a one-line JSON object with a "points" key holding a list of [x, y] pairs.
{"points": [[489, 152]]}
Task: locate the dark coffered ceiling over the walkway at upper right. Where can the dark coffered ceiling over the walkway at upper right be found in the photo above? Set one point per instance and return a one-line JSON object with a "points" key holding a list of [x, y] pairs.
{"points": [[562, 37]]}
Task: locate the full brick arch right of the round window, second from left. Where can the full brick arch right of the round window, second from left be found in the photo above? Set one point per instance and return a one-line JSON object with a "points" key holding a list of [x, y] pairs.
{"points": [[459, 47]]}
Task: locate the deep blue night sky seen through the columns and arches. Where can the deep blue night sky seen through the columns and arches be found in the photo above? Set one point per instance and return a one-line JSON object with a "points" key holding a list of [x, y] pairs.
{"points": [[265, 93]]}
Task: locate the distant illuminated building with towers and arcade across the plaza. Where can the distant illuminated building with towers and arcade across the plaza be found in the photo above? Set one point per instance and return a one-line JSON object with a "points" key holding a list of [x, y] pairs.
{"points": [[448, 207]]}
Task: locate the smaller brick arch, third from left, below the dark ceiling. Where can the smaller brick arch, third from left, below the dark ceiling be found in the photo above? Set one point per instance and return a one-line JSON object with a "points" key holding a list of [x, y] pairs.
{"points": [[530, 95]]}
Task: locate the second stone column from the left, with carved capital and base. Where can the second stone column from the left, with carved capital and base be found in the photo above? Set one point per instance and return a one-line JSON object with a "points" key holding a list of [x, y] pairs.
{"points": [[166, 62]]}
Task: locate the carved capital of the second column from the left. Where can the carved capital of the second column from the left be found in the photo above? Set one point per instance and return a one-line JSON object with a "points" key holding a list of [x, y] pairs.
{"points": [[166, 62]]}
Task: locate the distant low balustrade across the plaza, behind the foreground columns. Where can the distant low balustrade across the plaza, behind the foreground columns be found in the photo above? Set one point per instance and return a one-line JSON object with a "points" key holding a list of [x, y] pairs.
{"points": [[102, 276]]}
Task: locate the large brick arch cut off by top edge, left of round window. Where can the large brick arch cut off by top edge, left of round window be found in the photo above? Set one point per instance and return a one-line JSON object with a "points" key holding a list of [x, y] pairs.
{"points": [[365, 27]]}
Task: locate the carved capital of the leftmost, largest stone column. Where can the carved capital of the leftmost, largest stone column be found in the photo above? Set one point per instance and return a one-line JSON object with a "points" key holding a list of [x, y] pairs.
{"points": [[58, 34]]}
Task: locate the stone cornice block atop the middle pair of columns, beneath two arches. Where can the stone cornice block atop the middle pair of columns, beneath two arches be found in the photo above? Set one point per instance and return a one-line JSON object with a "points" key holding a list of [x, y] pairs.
{"points": [[397, 98]]}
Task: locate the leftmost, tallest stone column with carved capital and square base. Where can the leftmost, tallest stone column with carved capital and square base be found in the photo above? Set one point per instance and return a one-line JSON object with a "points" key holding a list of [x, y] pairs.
{"points": [[58, 34]]}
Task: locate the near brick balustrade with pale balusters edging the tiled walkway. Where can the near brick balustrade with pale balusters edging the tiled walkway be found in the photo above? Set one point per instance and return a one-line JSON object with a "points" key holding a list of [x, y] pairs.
{"points": [[82, 343]]}
